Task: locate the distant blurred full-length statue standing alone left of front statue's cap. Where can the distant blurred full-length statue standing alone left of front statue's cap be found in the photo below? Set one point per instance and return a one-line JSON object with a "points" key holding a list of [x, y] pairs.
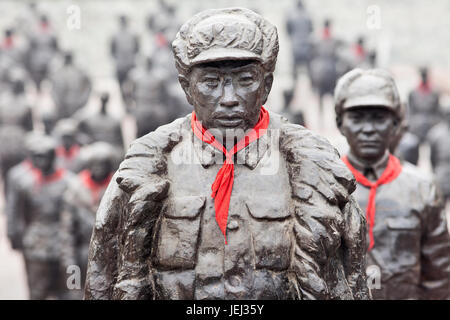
{"points": [[124, 48]]}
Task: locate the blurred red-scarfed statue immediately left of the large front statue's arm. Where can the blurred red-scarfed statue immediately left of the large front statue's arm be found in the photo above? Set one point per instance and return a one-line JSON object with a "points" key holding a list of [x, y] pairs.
{"points": [[82, 199]]}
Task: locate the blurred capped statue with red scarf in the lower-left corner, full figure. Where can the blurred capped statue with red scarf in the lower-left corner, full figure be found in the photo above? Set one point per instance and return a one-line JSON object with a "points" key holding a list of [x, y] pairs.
{"points": [[34, 209]]}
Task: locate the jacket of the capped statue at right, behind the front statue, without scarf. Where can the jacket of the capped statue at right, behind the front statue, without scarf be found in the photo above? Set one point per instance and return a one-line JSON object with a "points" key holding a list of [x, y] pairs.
{"points": [[412, 243]]}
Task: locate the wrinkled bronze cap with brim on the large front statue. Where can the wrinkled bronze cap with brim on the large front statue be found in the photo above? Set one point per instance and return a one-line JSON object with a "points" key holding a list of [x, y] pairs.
{"points": [[225, 34]]}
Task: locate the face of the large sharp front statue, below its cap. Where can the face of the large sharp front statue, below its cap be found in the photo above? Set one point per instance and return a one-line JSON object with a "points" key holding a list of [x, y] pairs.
{"points": [[228, 95]]}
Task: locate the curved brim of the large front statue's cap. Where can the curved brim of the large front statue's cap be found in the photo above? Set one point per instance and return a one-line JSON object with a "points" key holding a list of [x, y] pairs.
{"points": [[221, 54]]}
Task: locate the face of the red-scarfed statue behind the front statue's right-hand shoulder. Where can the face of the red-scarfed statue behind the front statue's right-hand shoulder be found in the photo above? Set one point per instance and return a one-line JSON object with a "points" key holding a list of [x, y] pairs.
{"points": [[369, 131]]}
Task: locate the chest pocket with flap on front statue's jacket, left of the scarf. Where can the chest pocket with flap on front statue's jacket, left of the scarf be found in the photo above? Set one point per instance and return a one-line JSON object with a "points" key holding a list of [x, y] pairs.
{"points": [[179, 232]]}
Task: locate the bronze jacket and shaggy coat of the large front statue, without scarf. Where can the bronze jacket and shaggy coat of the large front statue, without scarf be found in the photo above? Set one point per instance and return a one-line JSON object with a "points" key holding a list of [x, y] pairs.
{"points": [[294, 231]]}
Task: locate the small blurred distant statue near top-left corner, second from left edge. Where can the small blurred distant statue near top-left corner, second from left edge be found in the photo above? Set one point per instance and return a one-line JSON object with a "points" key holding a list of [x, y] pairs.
{"points": [[43, 46]]}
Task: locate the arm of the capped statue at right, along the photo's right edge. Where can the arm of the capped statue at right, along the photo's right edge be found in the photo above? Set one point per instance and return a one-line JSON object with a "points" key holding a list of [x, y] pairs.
{"points": [[435, 251]]}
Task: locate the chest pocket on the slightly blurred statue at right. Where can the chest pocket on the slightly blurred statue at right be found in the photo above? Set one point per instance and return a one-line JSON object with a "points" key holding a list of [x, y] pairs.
{"points": [[405, 234]]}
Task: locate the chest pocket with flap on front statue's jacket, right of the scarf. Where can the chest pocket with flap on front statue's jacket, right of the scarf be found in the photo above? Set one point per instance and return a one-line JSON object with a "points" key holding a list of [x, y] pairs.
{"points": [[270, 232]]}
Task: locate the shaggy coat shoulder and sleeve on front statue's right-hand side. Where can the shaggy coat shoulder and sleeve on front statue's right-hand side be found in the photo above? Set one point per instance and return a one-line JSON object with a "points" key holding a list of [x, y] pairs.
{"points": [[329, 226]]}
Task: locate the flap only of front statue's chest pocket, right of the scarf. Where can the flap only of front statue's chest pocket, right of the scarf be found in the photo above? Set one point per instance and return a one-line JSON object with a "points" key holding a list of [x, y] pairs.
{"points": [[268, 207]]}
